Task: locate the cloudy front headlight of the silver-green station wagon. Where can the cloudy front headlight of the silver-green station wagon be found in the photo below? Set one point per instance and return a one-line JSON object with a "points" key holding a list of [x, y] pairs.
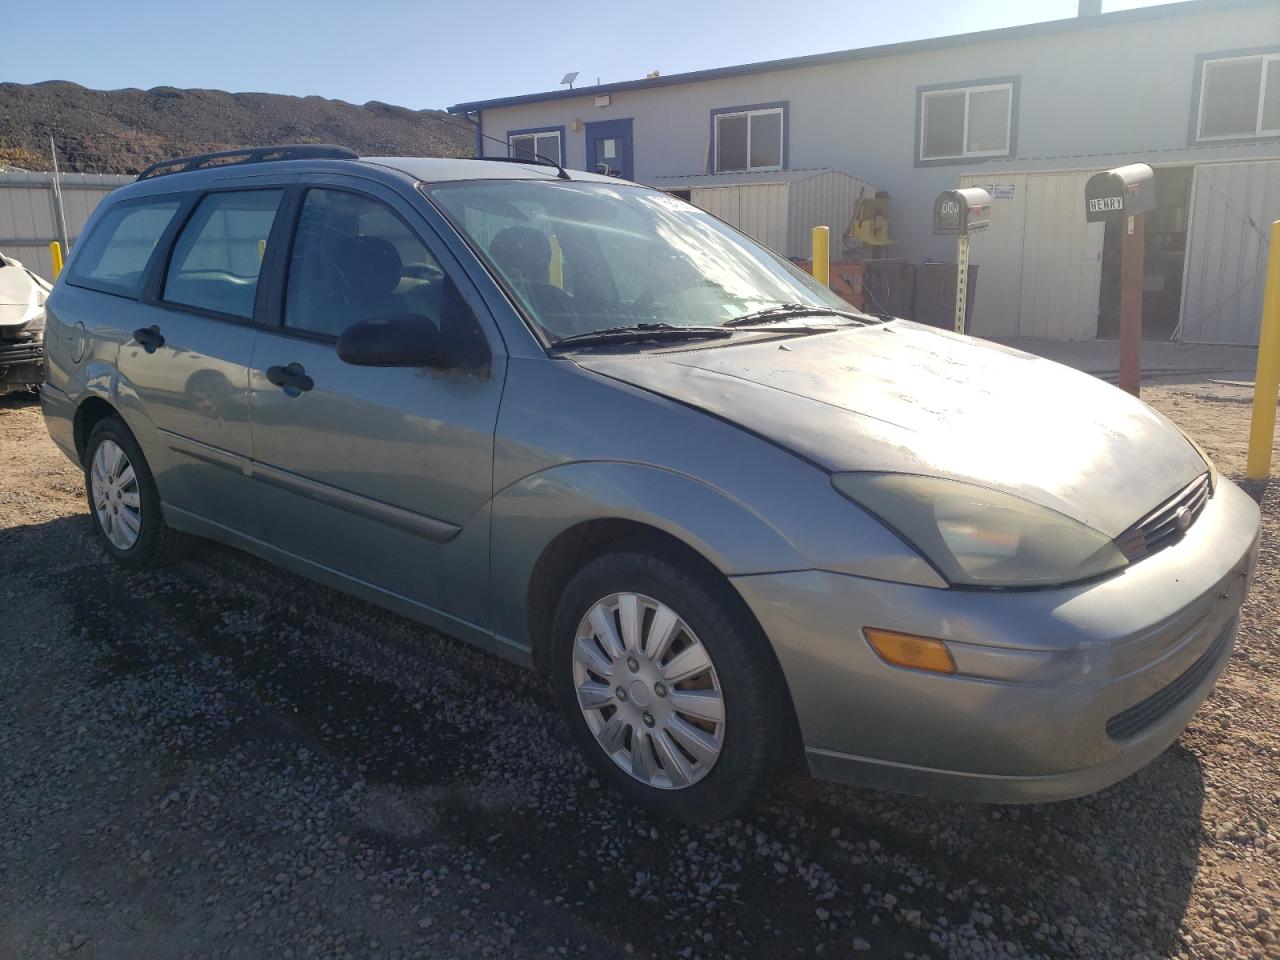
{"points": [[977, 537]]}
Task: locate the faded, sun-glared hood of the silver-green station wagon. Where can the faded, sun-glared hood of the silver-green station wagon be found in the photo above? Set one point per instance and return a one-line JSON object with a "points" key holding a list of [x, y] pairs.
{"points": [[908, 399]]}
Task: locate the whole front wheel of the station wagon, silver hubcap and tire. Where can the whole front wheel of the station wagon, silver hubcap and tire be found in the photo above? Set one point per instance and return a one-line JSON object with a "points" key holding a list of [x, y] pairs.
{"points": [[670, 688]]}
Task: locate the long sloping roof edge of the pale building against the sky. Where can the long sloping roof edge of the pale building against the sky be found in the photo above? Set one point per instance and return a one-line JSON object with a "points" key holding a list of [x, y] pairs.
{"points": [[874, 53]]}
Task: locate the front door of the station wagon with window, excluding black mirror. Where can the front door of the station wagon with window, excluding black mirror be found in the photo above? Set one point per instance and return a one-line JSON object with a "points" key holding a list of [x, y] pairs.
{"points": [[380, 474]]}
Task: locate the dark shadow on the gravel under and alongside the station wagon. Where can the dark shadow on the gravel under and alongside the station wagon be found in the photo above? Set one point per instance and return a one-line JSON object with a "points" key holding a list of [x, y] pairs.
{"points": [[473, 748]]}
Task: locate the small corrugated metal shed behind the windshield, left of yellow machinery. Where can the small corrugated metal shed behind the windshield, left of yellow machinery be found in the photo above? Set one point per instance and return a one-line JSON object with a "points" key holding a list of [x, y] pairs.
{"points": [[779, 208]]}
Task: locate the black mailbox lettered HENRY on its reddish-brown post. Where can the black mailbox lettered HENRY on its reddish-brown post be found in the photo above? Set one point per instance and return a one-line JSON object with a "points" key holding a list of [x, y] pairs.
{"points": [[1126, 194]]}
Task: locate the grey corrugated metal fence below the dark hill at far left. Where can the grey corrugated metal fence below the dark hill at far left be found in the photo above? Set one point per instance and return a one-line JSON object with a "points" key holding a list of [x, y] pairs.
{"points": [[28, 222]]}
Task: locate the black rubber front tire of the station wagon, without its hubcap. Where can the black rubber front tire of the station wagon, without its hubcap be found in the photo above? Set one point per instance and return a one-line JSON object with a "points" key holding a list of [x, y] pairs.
{"points": [[760, 723]]}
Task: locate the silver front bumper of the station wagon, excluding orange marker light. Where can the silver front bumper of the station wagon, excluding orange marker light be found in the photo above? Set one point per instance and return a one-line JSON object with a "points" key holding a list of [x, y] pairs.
{"points": [[1059, 693]]}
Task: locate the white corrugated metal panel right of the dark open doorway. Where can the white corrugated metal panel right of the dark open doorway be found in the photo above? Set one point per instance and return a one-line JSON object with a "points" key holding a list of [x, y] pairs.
{"points": [[1233, 207]]}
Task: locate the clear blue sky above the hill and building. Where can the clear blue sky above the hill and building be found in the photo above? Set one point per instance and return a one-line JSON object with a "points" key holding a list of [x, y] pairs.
{"points": [[429, 54]]}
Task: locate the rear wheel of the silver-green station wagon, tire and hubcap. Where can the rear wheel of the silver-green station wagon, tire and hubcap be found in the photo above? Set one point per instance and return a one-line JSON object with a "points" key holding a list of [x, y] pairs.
{"points": [[125, 502]]}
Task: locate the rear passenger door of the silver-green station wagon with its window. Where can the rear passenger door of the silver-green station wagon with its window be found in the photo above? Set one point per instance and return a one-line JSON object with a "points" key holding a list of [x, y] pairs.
{"points": [[185, 365]]}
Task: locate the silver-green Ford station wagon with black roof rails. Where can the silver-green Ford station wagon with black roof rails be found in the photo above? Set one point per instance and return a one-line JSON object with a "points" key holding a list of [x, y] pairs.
{"points": [[596, 431]]}
